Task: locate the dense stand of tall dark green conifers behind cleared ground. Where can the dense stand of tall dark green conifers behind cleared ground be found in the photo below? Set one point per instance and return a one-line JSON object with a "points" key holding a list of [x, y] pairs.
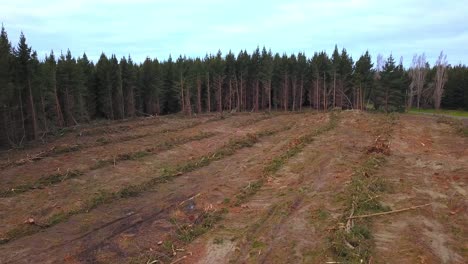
{"points": [[38, 97]]}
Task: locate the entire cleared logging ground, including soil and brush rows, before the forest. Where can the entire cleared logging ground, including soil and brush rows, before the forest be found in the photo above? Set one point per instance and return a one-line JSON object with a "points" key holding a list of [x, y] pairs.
{"points": [[340, 187]]}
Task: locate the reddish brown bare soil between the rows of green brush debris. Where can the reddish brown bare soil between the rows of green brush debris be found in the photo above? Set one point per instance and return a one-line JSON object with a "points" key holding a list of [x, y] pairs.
{"points": [[288, 220]]}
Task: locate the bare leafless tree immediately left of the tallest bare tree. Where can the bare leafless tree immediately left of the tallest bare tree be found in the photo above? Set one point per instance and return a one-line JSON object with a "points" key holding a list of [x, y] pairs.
{"points": [[417, 73]]}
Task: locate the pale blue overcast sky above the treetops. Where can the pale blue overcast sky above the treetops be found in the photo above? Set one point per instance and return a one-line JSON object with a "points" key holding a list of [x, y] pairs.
{"points": [[158, 28]]}
